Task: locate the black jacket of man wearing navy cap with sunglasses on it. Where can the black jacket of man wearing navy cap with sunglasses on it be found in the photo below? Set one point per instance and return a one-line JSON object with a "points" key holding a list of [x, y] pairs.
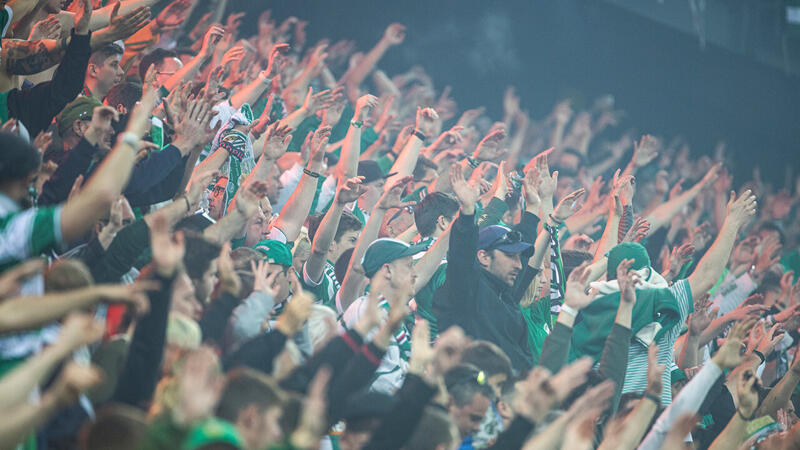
{"points": [[480, 303]]}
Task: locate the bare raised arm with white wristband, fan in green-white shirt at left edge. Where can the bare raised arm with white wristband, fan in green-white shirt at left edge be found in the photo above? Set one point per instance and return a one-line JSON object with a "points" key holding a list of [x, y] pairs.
{"points": [[82, 211]]}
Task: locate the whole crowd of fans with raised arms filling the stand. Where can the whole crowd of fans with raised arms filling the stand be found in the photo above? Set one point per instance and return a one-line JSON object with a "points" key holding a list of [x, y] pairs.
{"points": [[213, 241]]}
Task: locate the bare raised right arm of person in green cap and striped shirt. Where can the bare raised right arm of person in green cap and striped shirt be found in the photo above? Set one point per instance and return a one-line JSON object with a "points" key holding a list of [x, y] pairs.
{"points": [[739, 213]]}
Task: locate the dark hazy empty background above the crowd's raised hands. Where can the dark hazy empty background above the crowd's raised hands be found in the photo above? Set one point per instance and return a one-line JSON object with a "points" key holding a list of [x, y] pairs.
{"points": [[579, 48]]}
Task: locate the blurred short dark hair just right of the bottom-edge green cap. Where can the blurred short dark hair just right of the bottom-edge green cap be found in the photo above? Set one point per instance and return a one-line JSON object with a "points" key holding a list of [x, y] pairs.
{"points": [[245, 387]]}
